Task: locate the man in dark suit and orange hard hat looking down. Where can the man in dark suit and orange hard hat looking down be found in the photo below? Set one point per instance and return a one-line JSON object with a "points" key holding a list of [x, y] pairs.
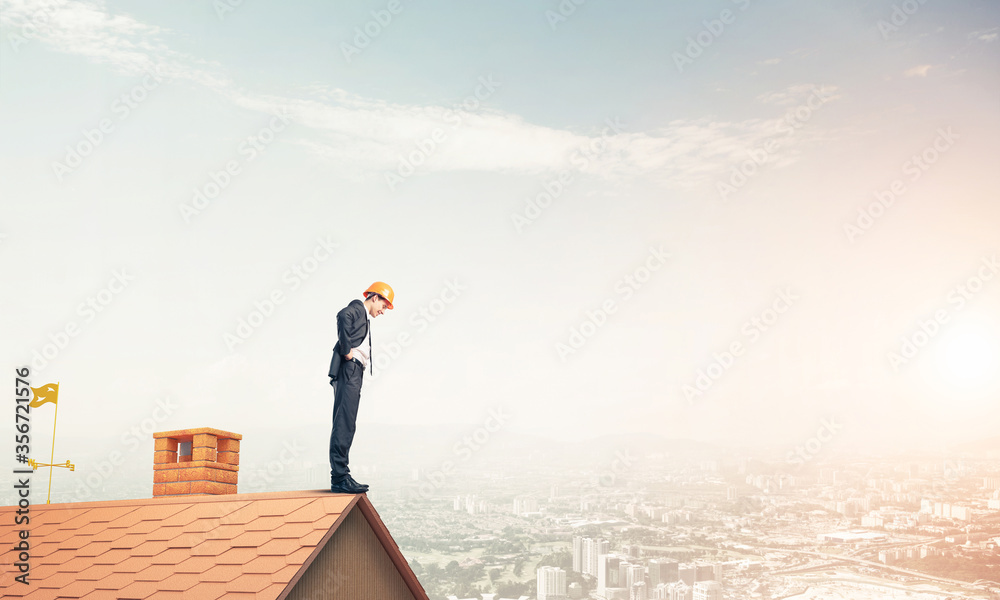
{"points": [[351, 355]]}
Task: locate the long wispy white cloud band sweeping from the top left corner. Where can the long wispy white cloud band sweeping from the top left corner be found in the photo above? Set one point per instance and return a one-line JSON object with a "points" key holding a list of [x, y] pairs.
{"points": [[364, 137]]}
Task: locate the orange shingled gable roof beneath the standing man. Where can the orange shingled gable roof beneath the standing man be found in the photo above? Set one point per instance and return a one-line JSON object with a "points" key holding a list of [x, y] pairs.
{"points": [[231, 546]]}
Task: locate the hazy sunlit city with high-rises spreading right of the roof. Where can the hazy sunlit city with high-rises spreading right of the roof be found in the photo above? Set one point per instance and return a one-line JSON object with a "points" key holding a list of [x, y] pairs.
{"points": [[682, 527]]}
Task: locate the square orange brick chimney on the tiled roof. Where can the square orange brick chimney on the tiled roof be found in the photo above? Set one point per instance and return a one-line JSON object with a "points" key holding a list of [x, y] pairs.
{"points": [[192, 462]]}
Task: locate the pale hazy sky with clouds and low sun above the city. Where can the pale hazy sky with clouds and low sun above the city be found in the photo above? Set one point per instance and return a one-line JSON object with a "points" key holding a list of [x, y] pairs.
{"points": [[725, 221]]}
